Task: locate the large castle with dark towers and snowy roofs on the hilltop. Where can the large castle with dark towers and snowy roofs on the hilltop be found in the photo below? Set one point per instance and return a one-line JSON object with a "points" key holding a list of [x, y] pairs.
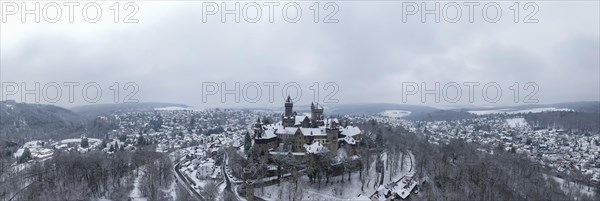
{"points": [[303, 134]]}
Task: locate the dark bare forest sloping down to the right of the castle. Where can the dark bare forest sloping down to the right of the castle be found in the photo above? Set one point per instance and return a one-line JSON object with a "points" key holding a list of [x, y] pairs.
{"points": [[461, 171]]}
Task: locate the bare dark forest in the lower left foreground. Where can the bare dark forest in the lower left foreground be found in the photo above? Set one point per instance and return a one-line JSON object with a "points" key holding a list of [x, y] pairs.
{"points": [[89, 176]]}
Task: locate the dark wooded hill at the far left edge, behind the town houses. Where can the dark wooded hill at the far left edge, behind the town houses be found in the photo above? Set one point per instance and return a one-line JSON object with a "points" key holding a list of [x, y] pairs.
{"points": [[20, 121]]}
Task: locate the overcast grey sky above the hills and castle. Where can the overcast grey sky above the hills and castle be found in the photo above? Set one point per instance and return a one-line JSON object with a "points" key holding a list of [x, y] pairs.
{"points": [[369, 53]]}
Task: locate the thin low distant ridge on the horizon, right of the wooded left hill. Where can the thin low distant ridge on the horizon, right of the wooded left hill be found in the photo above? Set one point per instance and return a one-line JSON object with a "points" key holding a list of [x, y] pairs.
{"points": [[91, 111]]}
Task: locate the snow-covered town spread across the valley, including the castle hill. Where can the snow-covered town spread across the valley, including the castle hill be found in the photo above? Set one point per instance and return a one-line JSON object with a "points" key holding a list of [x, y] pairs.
{"points": [[270, 154]]}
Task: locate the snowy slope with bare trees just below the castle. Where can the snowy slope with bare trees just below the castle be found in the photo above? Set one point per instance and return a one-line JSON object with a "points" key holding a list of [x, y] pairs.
{"points": [[336, 189]]}
